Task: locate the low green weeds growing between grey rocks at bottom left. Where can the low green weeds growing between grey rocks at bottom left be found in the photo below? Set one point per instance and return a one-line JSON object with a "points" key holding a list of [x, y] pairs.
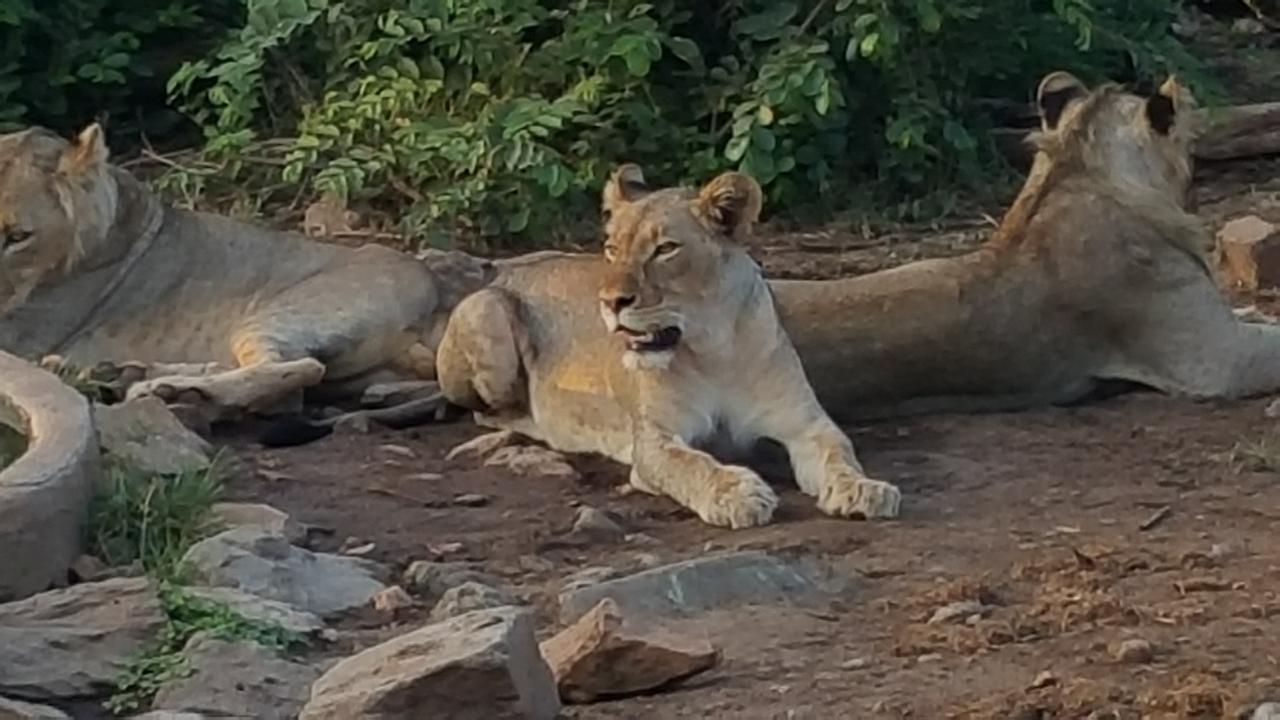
{"points": [[164, 662]]}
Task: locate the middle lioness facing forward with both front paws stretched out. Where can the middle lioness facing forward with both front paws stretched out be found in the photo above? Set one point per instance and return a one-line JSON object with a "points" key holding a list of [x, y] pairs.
{"points": [[694, 353]]}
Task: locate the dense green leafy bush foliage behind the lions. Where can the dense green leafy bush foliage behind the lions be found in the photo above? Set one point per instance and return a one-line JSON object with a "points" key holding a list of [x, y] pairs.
{"points": [[502, 117]]}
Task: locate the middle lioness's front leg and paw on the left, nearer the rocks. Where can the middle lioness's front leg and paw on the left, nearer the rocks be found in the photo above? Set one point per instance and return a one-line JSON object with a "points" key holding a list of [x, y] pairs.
{"points": [[721, 495]]}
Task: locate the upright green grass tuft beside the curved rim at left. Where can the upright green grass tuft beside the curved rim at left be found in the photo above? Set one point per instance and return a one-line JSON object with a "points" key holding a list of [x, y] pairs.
{"points": [[153, 520]]}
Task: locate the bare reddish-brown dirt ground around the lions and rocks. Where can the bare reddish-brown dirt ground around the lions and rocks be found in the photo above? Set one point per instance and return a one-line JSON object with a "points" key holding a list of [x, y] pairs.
{"points": [[1141, 518]]}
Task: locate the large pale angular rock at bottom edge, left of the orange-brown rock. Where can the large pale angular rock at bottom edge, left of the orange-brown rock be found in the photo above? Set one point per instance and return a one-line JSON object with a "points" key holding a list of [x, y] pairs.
{"points": [[483, 666]]}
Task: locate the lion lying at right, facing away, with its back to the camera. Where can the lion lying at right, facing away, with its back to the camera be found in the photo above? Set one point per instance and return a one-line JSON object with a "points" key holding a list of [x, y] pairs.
{"points": [[1096, 274]]}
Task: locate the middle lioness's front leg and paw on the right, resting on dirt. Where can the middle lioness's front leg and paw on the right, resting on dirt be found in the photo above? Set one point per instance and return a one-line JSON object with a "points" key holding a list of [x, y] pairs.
{"points": [[828, 468]]}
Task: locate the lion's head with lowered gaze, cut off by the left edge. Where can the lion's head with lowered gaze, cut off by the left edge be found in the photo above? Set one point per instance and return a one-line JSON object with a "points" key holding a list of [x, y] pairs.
{"points": [[58, 202]]}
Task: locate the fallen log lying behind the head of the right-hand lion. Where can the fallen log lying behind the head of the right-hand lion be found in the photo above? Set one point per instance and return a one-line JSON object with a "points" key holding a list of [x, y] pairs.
{"points": [[1231, 133]]}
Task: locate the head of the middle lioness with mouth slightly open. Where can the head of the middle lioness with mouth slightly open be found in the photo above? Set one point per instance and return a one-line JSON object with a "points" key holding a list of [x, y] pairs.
{"points": [[668, 254]]}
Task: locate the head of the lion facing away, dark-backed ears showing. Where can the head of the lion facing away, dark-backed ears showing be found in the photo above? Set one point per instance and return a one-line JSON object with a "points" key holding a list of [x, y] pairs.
{"points": [[1132, 143]]}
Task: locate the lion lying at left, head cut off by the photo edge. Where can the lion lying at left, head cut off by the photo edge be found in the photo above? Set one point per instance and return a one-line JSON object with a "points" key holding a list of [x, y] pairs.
{"points": [[95, 268]]}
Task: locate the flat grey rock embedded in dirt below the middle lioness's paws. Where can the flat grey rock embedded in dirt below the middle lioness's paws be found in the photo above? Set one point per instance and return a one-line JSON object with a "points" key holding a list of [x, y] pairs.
{"points": [[702, 585]]}
